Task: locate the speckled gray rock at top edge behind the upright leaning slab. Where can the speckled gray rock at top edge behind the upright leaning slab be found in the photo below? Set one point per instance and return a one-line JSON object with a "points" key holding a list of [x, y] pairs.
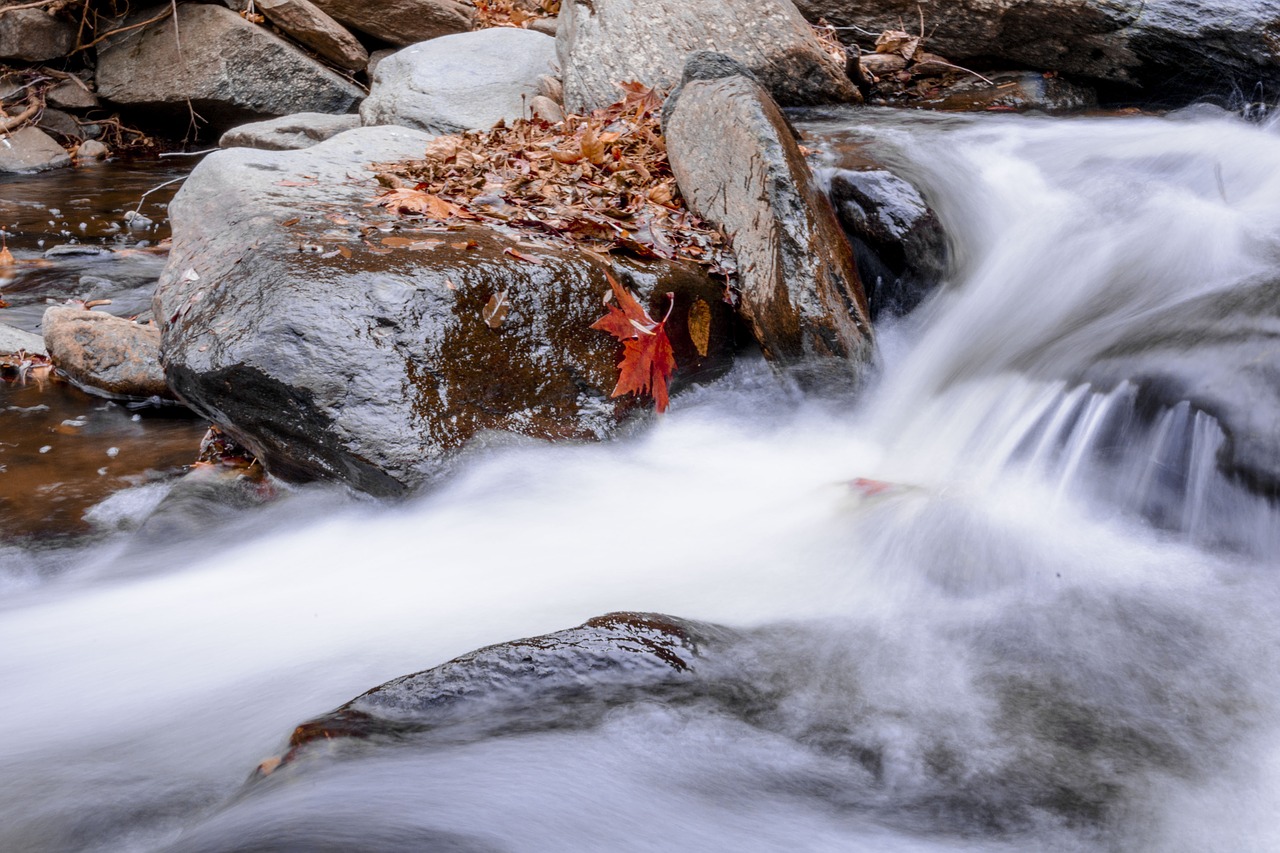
{"points": [[606, 42]]}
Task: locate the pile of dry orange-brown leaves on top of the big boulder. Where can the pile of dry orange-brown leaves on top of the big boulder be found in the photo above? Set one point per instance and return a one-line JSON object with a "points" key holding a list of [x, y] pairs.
{"points": [[600, 183]]}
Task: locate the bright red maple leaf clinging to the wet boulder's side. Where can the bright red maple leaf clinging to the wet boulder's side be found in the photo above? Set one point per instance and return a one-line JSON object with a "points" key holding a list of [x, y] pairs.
{"points": [[648, 359]]}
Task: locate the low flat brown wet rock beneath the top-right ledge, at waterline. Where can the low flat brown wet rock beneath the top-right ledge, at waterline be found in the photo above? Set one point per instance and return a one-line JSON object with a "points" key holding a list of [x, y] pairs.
{"points": [[1011, 92]]}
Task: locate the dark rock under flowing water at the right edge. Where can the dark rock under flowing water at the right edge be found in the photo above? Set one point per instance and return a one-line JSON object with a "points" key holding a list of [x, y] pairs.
{"points": [[1218, 353]]}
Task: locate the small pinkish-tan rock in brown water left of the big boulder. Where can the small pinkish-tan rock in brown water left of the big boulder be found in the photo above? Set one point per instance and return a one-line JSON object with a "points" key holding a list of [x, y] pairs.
{"points": [[106, 355]]}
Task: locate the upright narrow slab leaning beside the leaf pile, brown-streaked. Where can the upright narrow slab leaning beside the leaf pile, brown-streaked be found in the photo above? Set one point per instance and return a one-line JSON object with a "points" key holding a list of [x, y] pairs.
{"points": [[738, 165]]}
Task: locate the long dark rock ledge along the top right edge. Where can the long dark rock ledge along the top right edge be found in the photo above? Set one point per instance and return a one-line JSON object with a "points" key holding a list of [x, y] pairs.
{"points": [[1176, 47]]}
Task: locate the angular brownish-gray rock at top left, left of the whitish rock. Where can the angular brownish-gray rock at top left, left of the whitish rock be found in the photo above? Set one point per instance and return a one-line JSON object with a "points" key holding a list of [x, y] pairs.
{"points": [[227, 71]]}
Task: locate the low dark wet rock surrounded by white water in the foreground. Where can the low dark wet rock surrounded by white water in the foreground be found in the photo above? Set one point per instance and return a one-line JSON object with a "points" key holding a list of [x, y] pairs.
{"points": [[568, 679]]}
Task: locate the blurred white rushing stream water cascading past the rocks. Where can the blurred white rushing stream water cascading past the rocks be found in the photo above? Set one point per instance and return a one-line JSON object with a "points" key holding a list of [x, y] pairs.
{"points": [[1025, 645]]}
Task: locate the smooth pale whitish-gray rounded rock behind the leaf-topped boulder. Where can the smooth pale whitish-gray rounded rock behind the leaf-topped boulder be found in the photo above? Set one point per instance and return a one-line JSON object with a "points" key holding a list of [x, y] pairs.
{"points": [[464, 83]]}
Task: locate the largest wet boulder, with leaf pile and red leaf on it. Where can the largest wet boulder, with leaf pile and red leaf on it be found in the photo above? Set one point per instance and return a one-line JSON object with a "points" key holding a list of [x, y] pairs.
{"points": [[373, 368]]}
